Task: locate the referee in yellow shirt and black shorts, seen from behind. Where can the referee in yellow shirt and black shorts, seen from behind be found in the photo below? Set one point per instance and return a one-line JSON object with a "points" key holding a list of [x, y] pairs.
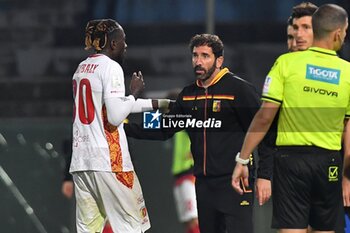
{"points": [[312, 91]]}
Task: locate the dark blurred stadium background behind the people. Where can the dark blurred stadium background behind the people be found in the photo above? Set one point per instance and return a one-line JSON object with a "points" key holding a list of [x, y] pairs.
{"points": [[42, 42]]}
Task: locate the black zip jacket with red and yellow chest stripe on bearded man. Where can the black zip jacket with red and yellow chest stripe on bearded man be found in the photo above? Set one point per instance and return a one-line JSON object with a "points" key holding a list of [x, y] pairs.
{"points": [[228, 99]]}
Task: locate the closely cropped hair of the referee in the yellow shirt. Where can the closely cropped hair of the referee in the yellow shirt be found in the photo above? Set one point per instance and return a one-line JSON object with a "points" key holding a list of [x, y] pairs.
{"points": [[327, 18]]}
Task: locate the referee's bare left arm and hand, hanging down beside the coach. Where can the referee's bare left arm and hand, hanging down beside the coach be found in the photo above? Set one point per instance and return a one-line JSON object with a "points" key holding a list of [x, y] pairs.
{"points": [[256, 132]]}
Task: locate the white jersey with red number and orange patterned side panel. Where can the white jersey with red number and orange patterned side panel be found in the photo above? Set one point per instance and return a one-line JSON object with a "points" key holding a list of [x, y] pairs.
{"points": [[98, 145]]}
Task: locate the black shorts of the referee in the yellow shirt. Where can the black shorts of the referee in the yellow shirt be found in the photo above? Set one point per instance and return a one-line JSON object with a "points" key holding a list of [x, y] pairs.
{"points": [[307, 188]]}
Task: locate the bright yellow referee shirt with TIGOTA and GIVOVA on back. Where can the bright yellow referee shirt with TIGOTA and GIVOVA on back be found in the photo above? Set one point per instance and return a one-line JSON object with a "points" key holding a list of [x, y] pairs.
{"points": [[313, 89]]}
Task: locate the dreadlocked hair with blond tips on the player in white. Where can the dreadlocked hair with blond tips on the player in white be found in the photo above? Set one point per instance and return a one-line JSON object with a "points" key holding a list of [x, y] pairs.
{"points": [[96, 33]]}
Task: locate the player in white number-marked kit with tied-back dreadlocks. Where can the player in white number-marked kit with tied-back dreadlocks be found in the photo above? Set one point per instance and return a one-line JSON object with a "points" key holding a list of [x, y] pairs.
{"points": [[106, 185]]}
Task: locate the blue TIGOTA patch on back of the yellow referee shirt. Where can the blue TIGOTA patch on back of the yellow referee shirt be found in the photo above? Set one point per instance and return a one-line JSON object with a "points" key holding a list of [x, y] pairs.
{"points": [[322, 74]]}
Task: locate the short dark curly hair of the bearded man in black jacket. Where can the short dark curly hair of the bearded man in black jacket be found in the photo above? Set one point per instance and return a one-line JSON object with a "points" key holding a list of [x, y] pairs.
{"points": [[212, 41]]}
